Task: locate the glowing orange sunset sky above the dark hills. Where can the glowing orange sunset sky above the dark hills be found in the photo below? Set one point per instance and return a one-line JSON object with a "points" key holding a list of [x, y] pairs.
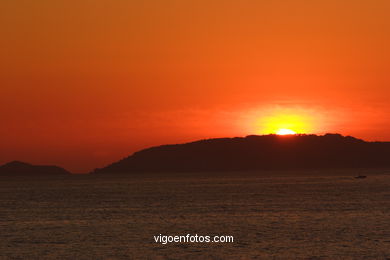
{"points": [[84, 83]]}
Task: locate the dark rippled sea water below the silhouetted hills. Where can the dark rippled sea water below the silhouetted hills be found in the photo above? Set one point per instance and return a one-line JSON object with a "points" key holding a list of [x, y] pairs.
{"points": [[116, 217]]}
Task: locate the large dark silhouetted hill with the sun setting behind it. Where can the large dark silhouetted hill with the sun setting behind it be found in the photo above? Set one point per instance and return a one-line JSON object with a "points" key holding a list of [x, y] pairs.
{"points": [[251, 153]]}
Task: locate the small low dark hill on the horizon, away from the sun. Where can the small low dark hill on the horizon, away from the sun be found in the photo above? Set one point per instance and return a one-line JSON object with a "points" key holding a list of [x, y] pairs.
{"points": [[21, 168]]}
